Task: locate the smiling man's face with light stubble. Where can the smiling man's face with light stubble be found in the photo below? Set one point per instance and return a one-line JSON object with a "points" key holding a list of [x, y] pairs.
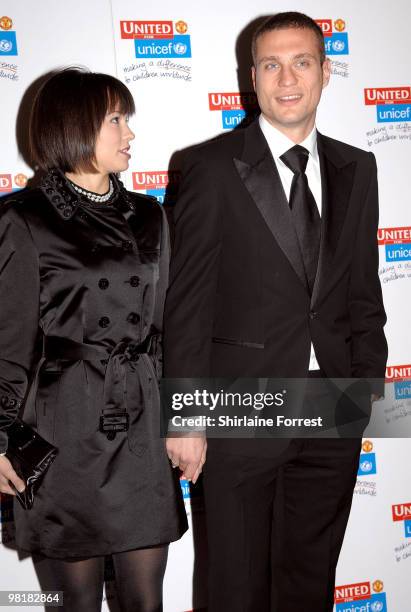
{"points": [[288, 79]]}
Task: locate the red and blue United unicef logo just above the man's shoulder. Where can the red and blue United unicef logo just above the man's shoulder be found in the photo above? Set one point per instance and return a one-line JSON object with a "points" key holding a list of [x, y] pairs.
{"points": [[233, 106]]}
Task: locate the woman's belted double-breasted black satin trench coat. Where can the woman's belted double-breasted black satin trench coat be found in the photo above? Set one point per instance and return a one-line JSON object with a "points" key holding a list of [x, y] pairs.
{"points": [[81, 298]]}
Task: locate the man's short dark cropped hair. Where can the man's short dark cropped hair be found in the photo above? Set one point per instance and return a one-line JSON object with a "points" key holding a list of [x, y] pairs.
{"points": [[282, 21]]}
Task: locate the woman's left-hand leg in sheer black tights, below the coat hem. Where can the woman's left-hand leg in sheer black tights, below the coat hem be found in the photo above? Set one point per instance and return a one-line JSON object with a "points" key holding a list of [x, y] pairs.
{"points": [[80, 580]]}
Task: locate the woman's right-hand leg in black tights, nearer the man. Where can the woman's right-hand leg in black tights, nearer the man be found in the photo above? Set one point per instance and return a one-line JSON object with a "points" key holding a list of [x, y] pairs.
{"points": [[139, 578]]}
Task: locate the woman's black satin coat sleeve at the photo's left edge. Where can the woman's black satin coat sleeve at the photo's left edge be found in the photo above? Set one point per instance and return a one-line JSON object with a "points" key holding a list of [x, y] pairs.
{"points": [[19, 315]]}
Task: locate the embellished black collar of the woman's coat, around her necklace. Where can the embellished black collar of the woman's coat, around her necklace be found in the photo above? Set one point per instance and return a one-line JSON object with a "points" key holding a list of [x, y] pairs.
{"points": [[67, 200]]}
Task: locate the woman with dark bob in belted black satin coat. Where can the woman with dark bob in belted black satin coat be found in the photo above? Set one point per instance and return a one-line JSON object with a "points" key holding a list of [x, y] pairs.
{"points": [[83, 273]]}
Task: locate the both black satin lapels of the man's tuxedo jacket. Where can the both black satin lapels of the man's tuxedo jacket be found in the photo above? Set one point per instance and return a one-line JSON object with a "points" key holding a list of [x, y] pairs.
{"points": [[259, 174]]}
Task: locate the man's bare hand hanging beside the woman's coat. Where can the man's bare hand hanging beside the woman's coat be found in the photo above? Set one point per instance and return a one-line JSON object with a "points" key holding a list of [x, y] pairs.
{"points": [[189, 454]]}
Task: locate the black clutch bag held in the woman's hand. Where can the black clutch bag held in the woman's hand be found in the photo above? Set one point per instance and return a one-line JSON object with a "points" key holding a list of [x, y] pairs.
{"points": [[31, 456]]}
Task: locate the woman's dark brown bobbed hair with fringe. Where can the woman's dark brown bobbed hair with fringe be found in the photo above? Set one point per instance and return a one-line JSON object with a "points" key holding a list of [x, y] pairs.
{"points": [[67, 115]]}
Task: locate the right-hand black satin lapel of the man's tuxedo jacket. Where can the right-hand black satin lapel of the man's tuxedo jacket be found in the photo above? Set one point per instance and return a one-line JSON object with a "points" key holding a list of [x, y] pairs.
{"points": [[337, 183]]}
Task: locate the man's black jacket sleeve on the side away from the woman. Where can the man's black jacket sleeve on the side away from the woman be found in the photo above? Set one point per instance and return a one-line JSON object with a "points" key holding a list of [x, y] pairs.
{"points": [[367, 314]]}
